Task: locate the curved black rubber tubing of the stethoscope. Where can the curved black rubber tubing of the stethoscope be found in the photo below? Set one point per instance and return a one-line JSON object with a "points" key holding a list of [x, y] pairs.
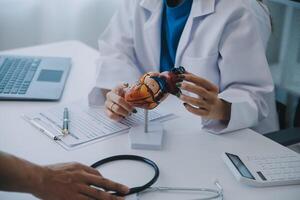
{"points": [[134, 158]]}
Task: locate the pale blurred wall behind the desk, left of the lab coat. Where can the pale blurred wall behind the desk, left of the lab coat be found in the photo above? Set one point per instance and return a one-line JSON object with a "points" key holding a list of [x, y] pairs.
{"points": [[30, 22]]}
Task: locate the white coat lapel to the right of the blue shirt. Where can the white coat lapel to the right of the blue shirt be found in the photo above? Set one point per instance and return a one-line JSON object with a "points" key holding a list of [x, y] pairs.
{"points": [[199, 8]]}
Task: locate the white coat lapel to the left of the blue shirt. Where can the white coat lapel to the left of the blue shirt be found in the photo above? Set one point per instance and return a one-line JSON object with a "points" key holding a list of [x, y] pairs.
{"points": [[152, 30]]}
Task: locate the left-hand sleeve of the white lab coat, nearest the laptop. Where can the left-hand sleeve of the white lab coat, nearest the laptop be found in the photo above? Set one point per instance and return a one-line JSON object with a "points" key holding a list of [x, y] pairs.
{"points": [[117, 63]]}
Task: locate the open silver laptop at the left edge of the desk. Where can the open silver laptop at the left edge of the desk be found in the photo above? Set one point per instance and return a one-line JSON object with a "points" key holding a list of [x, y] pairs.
{"points": [[33, 78]]}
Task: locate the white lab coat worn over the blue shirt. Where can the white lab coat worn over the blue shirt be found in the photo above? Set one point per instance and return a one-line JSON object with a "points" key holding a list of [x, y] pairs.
{"points": [[223, 41]]}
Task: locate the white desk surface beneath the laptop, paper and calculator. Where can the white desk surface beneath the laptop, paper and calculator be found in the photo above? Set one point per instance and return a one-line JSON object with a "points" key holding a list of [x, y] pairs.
{"points": [[190, 157]]}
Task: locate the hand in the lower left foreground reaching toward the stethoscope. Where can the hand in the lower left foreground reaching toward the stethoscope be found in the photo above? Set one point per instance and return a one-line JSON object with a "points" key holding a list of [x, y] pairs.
{"points": [[77, 182]]}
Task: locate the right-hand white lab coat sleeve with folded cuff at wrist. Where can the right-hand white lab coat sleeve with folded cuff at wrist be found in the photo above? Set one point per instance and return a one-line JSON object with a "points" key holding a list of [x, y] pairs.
{"points": [[245, 79]]}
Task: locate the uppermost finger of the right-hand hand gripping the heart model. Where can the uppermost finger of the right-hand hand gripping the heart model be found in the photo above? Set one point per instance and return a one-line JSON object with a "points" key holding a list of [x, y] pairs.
{"points": [[200, 82]]}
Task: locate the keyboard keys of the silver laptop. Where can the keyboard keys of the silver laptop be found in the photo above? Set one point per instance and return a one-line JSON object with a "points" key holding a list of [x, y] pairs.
{"points": [[16, 74]]}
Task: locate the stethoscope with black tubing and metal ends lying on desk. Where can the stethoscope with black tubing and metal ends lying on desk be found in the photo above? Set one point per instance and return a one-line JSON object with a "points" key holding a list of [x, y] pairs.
{"points": [[215, 193]]}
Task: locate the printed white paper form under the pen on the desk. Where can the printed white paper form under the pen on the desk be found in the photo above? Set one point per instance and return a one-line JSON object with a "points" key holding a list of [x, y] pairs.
{"points": [[86, 123]]}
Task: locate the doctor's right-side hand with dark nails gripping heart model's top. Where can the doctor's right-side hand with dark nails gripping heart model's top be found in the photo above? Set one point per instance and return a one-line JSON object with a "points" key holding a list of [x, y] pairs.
{"points": [[206, 103]]}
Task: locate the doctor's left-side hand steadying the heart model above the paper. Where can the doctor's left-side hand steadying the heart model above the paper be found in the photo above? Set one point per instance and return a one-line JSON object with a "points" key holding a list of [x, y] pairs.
{"points": [[116, 106]]}
